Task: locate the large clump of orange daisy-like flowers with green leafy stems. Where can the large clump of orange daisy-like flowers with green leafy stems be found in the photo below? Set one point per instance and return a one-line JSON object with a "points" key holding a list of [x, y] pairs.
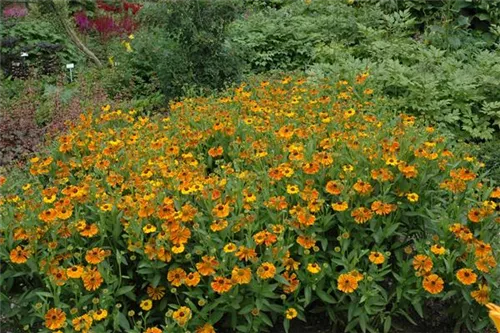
{"points": [[245, 210]]}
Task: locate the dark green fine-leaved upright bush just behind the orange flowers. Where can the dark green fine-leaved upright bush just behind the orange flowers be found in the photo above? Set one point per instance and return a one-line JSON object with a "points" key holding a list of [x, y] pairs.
{"points": [[190, 47]]}
